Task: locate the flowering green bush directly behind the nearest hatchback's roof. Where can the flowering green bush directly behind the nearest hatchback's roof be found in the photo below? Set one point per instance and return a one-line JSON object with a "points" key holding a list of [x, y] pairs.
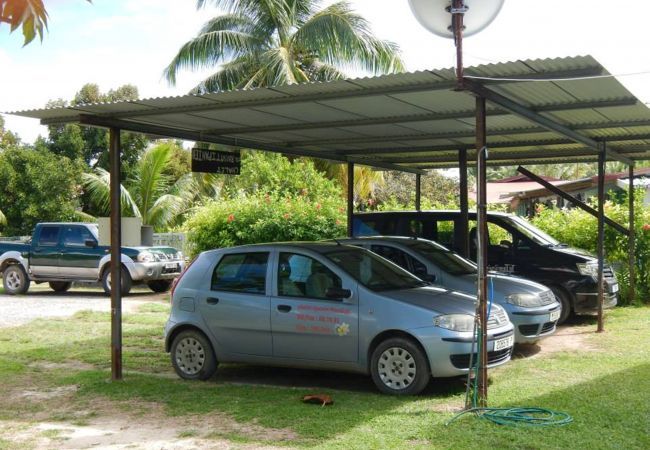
{"points": [[265, 218]]}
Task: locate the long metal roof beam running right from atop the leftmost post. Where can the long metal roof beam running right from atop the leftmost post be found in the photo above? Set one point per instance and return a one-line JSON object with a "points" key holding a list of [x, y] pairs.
{"points": [[195, 136]]}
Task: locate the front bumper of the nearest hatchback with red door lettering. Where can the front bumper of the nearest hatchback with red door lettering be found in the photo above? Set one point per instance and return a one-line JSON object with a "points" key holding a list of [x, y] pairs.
{"points": [[449, 351]]}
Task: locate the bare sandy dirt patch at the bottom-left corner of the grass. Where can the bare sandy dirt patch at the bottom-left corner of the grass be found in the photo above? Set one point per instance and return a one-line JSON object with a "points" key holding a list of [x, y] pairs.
{"points": [[134, 425]]}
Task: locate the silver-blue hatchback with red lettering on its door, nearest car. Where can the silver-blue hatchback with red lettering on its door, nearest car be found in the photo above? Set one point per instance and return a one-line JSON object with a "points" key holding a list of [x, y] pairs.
{"points": [[325, 306]]}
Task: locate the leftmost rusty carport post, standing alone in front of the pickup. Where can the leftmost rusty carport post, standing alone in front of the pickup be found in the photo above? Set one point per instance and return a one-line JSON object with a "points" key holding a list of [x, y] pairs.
{"points": [[115, 267]]}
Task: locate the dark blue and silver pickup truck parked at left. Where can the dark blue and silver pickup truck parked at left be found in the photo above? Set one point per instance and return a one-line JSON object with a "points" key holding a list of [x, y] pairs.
{"points": [[61, 253]]}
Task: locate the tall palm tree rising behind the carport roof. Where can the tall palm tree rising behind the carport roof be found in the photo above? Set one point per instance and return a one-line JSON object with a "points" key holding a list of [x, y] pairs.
{"points": [[273, 42]]}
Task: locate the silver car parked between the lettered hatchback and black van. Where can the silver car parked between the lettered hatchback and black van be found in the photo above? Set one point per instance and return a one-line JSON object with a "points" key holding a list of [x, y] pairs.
{"points": [[531, 307]]}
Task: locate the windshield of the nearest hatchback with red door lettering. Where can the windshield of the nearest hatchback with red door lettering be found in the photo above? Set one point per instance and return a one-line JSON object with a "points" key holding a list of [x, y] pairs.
{"points": [[372, 271]]}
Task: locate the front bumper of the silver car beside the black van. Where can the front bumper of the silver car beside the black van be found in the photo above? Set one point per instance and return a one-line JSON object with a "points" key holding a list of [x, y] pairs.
{"points": [[532, 324]]}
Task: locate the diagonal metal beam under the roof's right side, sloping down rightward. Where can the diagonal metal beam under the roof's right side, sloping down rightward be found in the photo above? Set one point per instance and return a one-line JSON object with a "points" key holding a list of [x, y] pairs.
{"points": [[543, 121]]}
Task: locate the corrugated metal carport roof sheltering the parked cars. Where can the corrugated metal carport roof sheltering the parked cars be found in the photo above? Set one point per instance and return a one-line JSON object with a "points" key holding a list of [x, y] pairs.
{"points": [[414, 120]]}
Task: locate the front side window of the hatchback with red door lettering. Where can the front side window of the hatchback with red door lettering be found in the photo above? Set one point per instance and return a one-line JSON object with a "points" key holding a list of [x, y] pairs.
{"points": [[303, 276]]}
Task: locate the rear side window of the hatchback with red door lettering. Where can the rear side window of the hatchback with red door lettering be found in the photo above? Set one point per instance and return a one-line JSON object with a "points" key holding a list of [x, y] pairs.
{"points": [[241, 272]]}
